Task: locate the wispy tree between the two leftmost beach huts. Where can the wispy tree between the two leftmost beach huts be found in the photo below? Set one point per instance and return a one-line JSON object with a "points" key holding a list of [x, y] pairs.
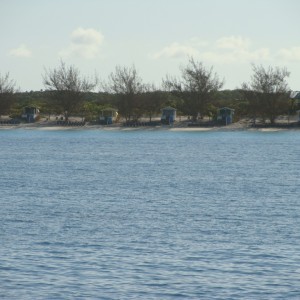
{"points": [[67, 88]]}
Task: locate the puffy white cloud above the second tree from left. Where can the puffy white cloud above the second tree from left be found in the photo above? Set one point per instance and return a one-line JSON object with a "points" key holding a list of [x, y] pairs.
{"points": [[85, 43]]}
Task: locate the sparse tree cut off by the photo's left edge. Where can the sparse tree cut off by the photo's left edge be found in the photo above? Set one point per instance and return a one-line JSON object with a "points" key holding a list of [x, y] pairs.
{"points": [[7, 93]]}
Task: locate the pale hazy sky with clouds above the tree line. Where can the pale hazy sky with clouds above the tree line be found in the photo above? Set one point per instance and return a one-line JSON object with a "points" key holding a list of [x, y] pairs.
{"points": [[156, 36]]}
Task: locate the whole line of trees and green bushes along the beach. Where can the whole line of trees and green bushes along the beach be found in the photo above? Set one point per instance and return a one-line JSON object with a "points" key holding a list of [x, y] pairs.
{"points": [[197, 93]]}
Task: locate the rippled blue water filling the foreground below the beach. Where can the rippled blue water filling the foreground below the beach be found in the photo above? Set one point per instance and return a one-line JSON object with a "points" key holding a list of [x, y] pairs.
{"points": [[149, 215]]}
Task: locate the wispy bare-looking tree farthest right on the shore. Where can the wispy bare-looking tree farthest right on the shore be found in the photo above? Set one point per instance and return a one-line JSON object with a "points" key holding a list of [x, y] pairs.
{"points": [[267, 93]]}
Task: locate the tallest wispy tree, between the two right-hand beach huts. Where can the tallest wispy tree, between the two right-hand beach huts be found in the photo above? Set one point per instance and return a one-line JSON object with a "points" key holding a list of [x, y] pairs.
{"points": [[197, 86]]}
